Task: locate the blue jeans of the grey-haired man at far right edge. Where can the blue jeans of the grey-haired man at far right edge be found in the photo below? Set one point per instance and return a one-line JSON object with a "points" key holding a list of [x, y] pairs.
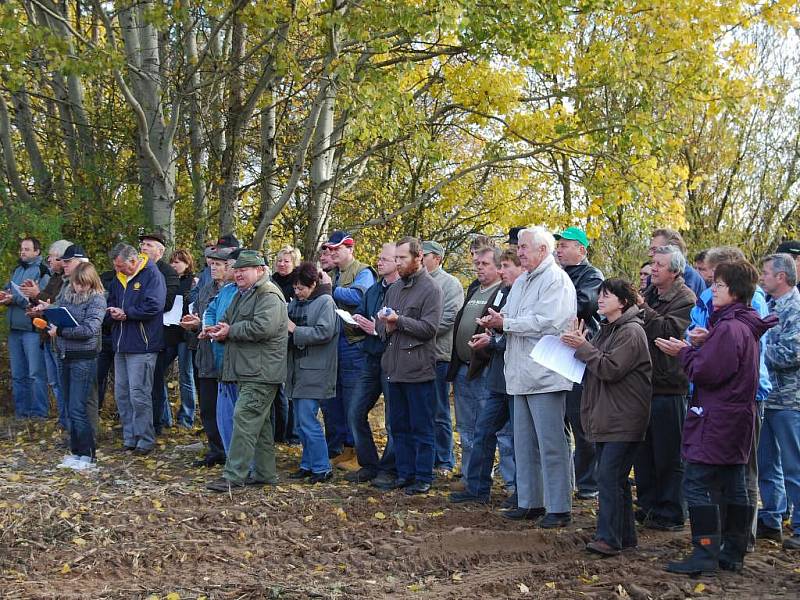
{"points": [[779, 467]]}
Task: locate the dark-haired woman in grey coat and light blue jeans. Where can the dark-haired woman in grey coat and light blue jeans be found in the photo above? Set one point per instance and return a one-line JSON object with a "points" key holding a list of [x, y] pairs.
{"points": [[311, 376]]}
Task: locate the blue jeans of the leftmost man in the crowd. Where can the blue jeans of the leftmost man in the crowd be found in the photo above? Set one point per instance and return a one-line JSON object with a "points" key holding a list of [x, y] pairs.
{"points": [[28, 374]]}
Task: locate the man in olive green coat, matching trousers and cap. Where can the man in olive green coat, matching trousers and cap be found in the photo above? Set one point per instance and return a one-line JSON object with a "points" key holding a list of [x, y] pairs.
{"points": [[254, 330]]}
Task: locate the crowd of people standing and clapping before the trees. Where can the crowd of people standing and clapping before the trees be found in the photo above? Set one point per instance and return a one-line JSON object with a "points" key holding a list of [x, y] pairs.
{"points": [[692, 376]]}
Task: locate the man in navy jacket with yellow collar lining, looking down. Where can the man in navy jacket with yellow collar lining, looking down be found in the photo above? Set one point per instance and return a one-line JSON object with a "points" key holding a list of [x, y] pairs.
{"points": [[135, 308]]}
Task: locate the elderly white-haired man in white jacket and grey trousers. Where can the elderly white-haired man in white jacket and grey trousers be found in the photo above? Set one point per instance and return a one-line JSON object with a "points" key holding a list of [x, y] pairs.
{"points": [[541, 302]]}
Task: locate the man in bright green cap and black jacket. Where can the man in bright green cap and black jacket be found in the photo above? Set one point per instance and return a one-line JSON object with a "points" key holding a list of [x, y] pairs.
{"points": [[571, 255]]}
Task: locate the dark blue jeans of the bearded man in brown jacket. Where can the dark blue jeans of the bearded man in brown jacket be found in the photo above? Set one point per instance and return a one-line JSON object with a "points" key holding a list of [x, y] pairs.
{"points": [[411, 418]]}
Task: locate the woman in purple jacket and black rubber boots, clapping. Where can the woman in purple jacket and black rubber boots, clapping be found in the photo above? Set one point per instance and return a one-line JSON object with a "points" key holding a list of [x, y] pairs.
{"points": [[719, 426]]}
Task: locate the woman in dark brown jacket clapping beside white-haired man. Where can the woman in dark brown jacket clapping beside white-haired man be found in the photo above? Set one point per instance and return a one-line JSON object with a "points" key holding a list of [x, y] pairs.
{"points": [[615, 407]]}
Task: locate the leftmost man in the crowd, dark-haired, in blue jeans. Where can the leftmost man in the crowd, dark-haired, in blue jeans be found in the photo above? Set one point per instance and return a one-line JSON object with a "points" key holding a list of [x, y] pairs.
{"points": [[28, 371]]}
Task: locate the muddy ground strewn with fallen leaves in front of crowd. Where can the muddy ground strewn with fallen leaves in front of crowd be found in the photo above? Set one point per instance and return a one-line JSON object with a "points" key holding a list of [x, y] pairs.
{"points": [[146, 526]]}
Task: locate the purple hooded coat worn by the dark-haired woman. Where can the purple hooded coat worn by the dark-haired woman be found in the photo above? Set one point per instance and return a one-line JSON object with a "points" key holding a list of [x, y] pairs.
{"points": [[719, 423]]}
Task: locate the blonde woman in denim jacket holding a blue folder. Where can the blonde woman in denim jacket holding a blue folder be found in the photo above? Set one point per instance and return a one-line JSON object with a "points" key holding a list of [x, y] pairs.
{"points": [[78, 348]]}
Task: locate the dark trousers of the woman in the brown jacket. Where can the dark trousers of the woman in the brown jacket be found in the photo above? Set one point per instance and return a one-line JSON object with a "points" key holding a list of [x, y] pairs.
{"points": [[615, 522]]}
